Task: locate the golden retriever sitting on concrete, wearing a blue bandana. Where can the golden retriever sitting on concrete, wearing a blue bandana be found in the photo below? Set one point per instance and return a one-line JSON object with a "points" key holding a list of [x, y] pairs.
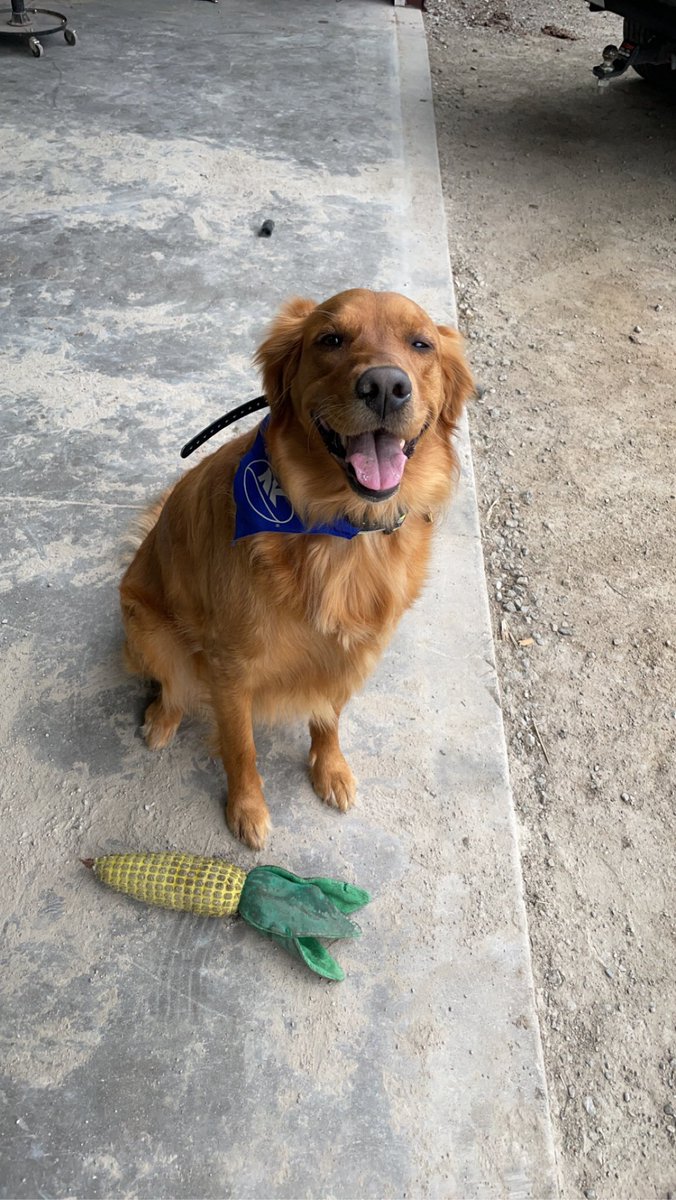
{"points": [[364, 393]]}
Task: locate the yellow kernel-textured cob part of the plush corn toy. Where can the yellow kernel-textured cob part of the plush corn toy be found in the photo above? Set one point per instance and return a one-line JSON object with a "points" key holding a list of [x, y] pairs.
{"points": [[208, 887]]}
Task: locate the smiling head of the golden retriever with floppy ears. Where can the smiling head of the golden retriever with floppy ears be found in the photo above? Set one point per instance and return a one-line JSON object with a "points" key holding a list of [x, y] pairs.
{"points": [[367, 379]]}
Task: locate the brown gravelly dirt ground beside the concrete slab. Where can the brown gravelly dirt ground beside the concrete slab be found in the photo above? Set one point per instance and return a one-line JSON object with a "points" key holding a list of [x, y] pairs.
{"points": [[563, 226]]}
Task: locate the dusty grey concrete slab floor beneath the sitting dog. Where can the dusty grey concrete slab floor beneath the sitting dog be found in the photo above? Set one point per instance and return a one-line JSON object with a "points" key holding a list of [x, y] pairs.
{"points": [[155, 1055]]}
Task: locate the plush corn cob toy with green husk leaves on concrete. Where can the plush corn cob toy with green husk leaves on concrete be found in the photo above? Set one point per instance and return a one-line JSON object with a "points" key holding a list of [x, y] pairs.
{"points": [[295, 913]]}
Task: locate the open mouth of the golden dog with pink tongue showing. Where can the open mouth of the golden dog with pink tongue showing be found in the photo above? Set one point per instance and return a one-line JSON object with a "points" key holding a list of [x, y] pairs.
{"points": [[374, 463]]}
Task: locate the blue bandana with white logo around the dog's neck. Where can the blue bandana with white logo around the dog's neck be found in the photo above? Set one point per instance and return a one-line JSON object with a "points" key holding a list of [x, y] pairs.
{"points": [[262, 505]]}
